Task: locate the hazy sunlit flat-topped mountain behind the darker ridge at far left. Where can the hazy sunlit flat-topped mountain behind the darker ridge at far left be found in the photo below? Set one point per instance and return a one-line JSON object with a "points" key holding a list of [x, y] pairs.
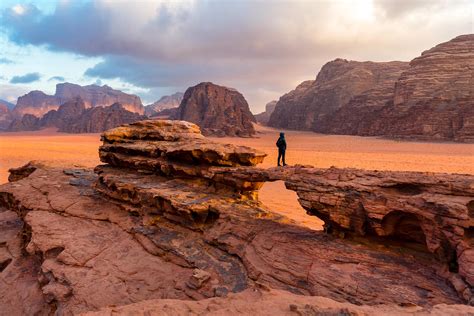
{"points": [[38, 103]]}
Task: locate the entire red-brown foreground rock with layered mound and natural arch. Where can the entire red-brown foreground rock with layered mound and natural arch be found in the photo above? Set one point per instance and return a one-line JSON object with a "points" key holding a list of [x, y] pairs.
{"points": [[173, 218]]}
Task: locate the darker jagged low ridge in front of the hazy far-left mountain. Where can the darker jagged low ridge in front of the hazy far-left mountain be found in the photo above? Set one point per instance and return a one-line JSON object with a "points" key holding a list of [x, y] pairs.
{"points": [[74, 117]]}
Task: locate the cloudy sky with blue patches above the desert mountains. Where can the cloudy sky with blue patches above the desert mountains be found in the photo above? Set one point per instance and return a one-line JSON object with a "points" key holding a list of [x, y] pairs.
{"points": [[263, 48]]}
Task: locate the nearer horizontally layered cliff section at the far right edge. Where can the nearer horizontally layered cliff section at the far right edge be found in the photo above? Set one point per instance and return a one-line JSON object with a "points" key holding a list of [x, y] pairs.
{"points": [[434, 98]]}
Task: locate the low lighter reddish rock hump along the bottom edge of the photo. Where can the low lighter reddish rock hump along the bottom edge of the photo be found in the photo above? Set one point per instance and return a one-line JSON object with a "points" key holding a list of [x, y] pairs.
{"points": [[264, 301]]}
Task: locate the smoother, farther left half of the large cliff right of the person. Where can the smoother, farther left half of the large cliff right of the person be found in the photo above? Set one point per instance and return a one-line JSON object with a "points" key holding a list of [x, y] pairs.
{"points": [[313, 103]]}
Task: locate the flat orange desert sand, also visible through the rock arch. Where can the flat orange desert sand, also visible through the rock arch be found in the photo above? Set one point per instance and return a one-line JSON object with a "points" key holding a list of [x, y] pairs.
{"points": [[304, 148]]}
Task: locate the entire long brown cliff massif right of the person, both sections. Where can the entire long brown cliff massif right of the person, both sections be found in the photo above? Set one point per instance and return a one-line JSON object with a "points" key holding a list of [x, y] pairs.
{"points": [[431, 98]]}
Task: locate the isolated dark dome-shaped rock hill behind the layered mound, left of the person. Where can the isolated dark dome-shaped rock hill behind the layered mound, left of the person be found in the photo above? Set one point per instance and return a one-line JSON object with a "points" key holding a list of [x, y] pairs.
{"points": [[217, 110]]}
